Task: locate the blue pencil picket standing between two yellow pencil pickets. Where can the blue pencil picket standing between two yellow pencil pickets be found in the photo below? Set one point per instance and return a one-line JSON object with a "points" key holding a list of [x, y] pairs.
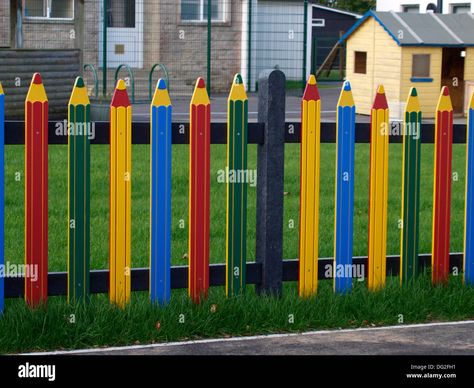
{"points": [[344, 190]]}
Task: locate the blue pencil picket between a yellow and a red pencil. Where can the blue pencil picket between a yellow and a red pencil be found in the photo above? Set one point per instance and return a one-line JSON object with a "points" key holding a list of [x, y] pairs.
{"points": [[160, 195]]}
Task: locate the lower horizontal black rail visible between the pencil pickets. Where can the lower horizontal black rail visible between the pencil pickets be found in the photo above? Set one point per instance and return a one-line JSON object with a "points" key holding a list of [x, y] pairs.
{"points": [[99, 280]]}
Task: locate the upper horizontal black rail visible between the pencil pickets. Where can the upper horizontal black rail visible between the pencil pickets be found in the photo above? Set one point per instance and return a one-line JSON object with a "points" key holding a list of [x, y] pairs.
{"points": [[15, 133]]}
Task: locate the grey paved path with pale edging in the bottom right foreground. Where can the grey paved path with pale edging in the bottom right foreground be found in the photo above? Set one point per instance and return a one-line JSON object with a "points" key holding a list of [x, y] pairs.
{"points": [[451, 338]]}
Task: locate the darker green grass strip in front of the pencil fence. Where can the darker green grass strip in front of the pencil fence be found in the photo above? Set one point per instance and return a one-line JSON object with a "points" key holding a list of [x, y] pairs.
{"points": [[100, 324]]}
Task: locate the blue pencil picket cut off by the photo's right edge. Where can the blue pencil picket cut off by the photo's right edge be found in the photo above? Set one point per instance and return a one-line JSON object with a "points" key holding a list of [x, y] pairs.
{"points": [[469, 210]]}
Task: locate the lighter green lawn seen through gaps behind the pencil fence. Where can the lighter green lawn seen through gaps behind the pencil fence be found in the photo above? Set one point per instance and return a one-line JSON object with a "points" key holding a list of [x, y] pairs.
{"points": [[14, 228]]}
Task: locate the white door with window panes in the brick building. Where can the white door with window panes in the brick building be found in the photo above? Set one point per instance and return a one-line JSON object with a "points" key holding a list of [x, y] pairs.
{"points": [[124, 33]]}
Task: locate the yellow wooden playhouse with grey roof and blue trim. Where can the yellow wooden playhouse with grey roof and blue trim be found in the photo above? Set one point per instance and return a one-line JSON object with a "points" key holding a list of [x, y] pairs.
{"points": [[401, 50]]}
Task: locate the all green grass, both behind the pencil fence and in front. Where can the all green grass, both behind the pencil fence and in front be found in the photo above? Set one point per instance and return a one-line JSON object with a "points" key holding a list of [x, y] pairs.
{"points": [[100, 324]]}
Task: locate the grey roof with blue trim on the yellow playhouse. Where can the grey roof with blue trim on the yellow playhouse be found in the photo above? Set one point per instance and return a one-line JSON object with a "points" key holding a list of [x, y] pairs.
{"points": [[427, 29]]}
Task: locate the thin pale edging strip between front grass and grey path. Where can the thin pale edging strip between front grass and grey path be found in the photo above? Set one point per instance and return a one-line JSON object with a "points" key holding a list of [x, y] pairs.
{"points": [[249, 338]]}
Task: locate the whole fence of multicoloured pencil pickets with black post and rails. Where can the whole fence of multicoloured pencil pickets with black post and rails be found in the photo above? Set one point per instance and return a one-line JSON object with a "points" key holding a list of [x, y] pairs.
{"points": [[269, 270]]}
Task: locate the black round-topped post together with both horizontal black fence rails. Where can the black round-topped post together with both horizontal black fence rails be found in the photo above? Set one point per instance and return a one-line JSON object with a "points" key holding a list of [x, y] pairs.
{"points": [[270, 134]]}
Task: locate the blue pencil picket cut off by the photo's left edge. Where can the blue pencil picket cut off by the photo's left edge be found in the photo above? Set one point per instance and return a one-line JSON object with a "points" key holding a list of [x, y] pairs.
{"points": [[2, 194]]}
